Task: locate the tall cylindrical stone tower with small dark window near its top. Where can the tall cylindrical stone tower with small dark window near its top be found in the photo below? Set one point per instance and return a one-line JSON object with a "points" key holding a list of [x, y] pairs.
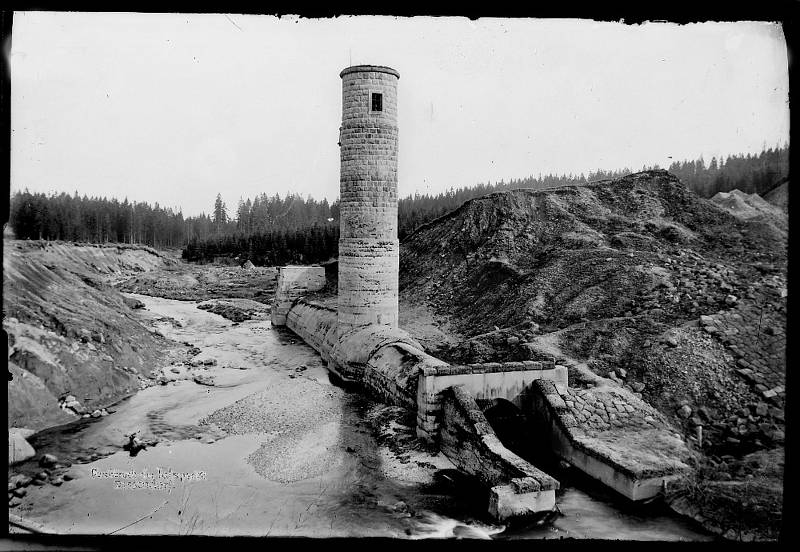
{"points": [[368, 245]]}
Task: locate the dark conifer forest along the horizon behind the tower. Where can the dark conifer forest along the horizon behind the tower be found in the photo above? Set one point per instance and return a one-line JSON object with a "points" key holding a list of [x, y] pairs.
{"points": [[275, 230]]}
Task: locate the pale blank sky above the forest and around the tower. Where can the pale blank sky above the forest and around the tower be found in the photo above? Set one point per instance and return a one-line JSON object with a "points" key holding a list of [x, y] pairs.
{"points": [[174, 108]]}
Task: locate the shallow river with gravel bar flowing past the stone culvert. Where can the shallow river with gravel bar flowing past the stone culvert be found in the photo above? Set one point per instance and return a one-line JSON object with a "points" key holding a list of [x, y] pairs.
{"points": [[311, 466]]}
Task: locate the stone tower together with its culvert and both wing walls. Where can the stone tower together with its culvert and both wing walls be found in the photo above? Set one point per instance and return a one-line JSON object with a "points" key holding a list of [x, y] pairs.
{"points": [[612, 436]]}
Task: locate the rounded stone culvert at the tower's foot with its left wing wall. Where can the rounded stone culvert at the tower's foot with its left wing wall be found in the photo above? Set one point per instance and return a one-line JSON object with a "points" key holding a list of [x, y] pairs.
{"points": [[390, 365]]}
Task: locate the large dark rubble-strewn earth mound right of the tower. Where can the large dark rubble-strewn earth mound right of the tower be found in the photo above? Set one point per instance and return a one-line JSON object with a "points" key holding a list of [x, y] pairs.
{"points": [[638, 280]]}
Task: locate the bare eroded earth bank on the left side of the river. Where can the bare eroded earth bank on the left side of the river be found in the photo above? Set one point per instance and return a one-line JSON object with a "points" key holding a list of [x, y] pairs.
{"points": [[74, 345]]}
